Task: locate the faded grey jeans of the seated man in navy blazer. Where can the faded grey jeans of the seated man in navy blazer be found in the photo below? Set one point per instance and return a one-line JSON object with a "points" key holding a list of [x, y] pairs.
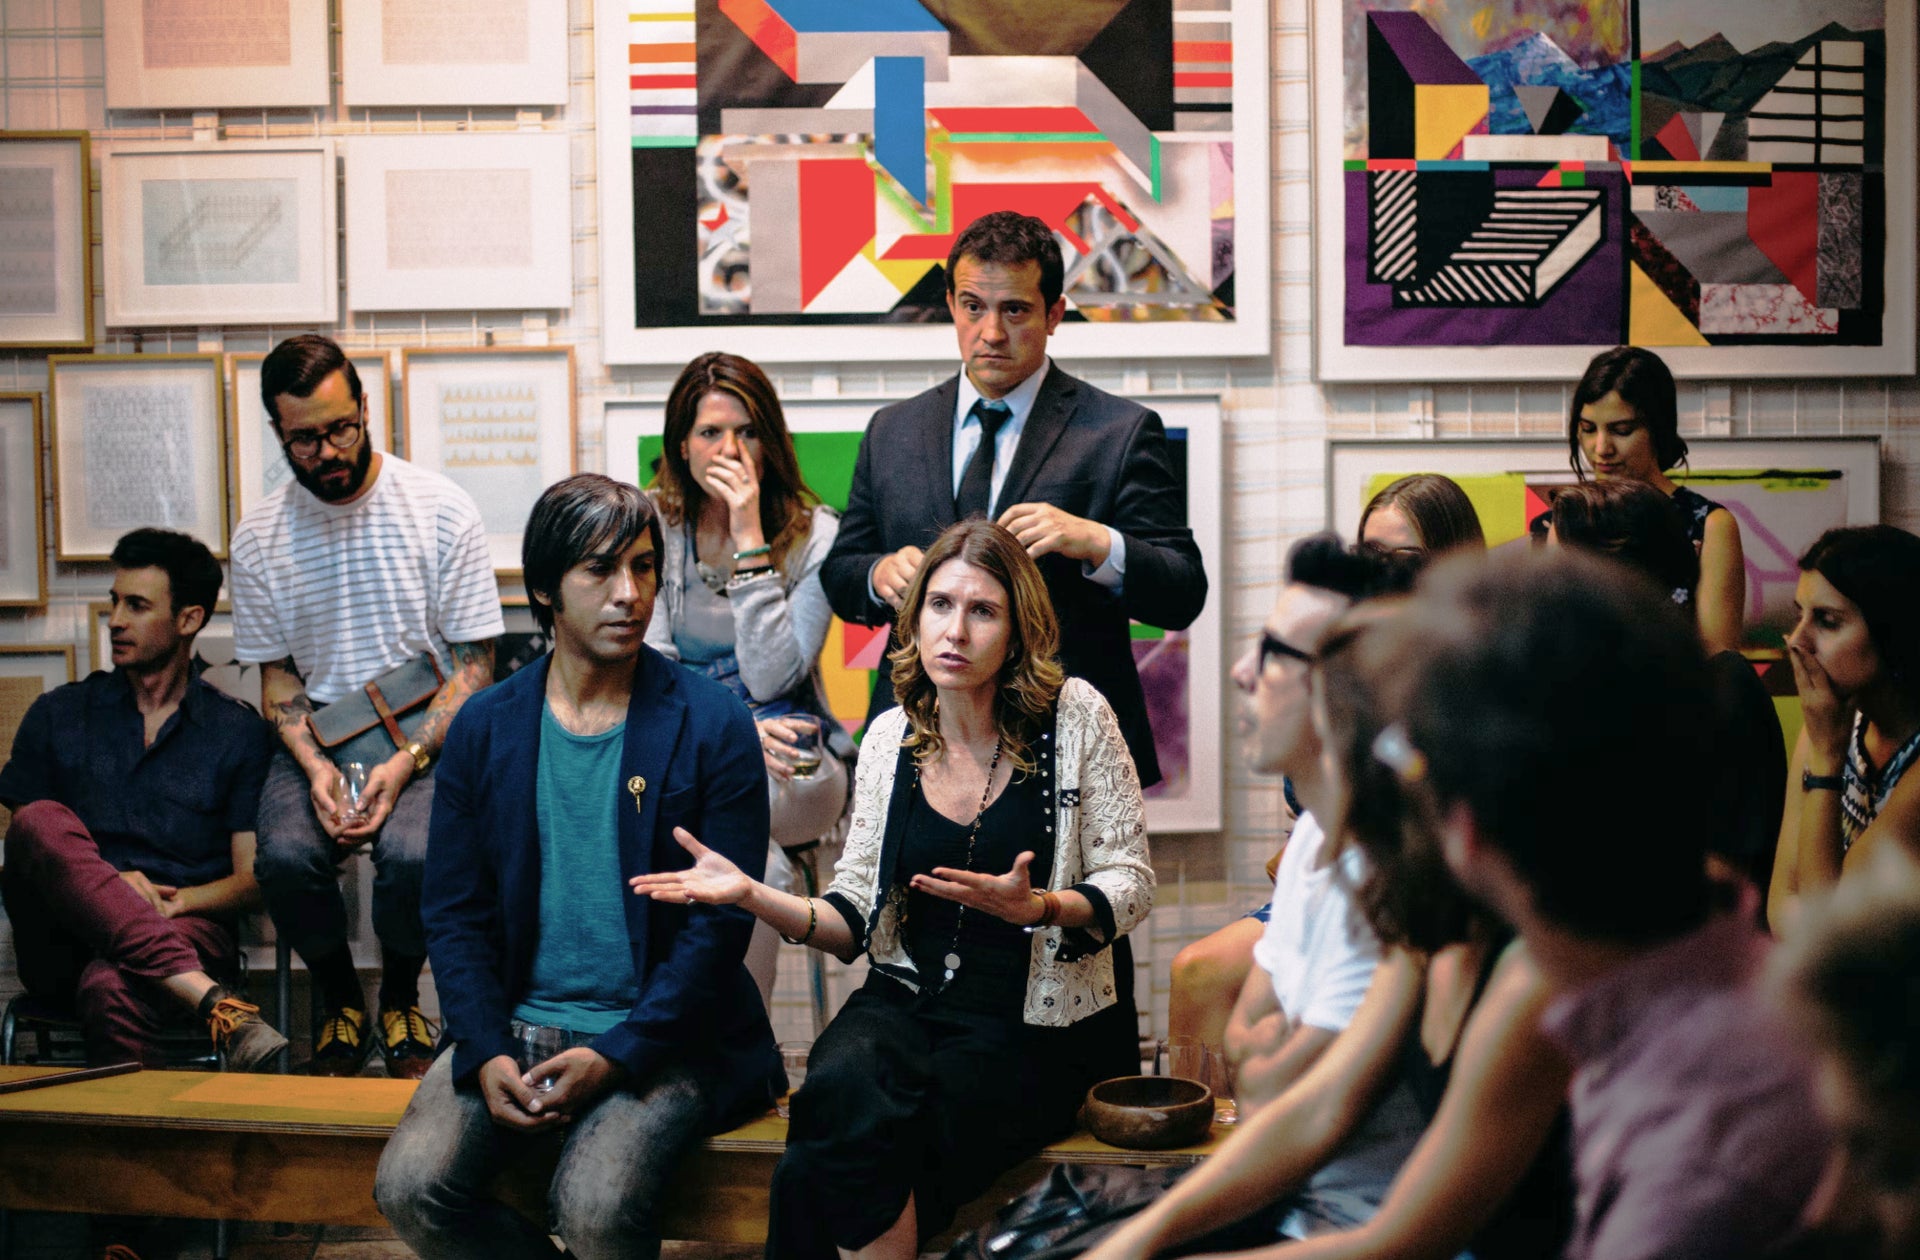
{"points": [[613, 1159]]}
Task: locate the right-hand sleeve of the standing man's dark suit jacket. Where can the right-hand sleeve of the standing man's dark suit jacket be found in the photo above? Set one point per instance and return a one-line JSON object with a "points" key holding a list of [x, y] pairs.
{"points": [[1166, 579]]}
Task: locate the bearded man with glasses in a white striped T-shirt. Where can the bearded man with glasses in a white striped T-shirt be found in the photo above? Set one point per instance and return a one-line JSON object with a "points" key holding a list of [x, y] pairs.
{"points": [[356, 569]]}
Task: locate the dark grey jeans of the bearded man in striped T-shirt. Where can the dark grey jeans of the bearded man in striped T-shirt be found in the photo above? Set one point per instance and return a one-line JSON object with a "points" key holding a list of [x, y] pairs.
{"points": [[299, 867]]}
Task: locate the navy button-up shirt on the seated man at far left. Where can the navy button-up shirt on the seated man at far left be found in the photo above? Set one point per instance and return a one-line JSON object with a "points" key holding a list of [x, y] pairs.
{"points": [[168, 812]]}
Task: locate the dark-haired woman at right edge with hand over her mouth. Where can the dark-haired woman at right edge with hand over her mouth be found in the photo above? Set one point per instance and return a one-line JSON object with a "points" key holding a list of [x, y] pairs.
{"points": [[1856, 656]]}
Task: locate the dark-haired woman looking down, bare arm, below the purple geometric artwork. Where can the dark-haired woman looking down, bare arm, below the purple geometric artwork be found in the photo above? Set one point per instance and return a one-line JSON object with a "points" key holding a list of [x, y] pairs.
{"points": [[1625, 424]]}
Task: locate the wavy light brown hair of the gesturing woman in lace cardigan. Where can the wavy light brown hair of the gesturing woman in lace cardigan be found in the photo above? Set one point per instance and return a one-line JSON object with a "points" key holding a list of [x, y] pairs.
{"points": [[1030, 679]]}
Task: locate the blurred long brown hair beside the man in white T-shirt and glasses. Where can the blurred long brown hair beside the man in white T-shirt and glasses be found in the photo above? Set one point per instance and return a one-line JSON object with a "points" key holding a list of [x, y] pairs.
{"points": [[1408, 894]]}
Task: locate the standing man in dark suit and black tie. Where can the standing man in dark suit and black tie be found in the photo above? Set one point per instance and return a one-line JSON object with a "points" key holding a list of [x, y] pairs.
{"points": [[1084, 479]]}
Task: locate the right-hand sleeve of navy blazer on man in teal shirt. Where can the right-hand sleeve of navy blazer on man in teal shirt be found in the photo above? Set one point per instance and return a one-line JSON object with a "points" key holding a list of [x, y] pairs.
{"points": [[681, 996]]}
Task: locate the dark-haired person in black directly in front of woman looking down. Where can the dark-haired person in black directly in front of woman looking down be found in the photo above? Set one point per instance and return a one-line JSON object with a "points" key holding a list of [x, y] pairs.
{"points": [[1644, 529]]}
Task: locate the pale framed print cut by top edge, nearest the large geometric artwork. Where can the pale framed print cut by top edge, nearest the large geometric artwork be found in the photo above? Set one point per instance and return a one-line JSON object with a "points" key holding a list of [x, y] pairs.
{"points": [[454, 53]]}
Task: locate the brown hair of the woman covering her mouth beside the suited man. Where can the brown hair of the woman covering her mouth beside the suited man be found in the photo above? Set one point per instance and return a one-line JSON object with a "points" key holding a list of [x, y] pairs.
{"points": [[786, 498]]}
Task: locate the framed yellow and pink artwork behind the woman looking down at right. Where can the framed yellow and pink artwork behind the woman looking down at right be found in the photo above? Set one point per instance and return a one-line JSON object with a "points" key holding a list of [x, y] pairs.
{"points": [[1783, 491]]}
